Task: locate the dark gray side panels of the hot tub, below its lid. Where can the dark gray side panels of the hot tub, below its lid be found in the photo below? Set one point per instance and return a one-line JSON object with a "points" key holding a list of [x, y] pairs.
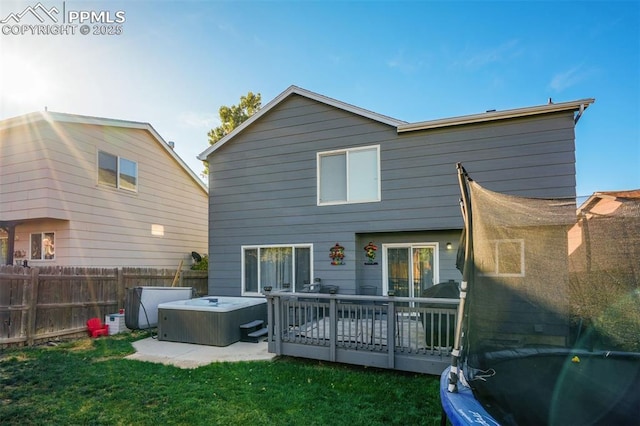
{"points": [[206, 327]]}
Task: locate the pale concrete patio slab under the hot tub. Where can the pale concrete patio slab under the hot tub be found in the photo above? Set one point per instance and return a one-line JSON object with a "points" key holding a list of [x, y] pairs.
{"points": [[186, 355]]}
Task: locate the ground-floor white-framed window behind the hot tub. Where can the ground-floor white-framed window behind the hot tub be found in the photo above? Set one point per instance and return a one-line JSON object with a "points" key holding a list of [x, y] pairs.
{"points": [[281, 267]]}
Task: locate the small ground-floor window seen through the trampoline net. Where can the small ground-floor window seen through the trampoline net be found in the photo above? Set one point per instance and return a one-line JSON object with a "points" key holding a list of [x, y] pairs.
{"points": [[506, 260]]}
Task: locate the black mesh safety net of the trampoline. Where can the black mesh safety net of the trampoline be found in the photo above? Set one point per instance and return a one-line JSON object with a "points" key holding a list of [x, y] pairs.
{"points": [[549, 273]]}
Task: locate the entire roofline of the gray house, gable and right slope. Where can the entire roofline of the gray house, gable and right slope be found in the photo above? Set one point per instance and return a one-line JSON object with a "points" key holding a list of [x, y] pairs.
{"points": [[402, 126]]}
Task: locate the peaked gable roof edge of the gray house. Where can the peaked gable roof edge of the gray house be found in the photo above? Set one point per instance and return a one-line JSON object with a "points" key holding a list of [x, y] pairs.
{"points": [[295, 90]]}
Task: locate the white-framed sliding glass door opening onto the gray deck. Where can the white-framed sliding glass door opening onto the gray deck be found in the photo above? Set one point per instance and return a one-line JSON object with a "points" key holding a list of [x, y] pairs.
{"points": [[408, 269]]}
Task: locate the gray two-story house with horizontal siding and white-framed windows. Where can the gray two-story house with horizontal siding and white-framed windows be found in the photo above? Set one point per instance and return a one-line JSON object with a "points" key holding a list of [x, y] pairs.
{"points": [[311, 189]]}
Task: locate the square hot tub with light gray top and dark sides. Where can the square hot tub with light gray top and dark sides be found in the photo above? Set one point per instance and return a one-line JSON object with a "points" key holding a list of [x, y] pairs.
{"points": [[210, 320]]}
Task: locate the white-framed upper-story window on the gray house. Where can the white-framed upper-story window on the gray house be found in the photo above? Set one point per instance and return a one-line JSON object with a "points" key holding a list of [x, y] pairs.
{"points": [[349, 176]]}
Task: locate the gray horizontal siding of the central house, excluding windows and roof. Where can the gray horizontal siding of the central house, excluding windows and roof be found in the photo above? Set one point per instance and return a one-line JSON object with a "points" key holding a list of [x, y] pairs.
{"points": [[263, 183]]}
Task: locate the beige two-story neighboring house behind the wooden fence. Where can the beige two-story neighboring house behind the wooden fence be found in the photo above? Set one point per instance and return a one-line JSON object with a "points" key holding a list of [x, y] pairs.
{"points": [[99, 192]]}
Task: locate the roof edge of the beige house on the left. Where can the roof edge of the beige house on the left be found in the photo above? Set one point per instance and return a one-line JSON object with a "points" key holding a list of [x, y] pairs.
{"points": [[100, 121]]}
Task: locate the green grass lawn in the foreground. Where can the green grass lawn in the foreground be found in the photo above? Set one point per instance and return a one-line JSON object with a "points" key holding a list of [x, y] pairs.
{"points": [[88, 382]]}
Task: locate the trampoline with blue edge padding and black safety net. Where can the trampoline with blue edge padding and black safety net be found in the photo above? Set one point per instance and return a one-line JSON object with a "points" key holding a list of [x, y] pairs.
{"points": [[549, 330]]}
